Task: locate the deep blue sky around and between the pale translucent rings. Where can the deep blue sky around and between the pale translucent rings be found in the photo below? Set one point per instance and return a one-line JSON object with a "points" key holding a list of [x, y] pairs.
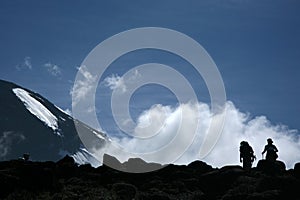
{"points": [[255, 45]]}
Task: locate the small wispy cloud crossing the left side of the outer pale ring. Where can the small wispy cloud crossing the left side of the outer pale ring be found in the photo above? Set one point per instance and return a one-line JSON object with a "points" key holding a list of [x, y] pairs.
{"points": [[83, 86]]}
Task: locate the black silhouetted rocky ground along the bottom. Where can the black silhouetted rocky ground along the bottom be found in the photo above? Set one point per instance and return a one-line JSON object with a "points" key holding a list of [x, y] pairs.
{"points": [[65, 180]]}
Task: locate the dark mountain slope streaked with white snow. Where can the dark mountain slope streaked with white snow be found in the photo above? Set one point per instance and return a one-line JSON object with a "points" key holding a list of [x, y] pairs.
{"points": [[31, 124]]}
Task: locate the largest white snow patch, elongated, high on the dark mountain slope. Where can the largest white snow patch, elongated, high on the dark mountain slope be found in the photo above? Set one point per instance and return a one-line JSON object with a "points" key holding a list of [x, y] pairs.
{"points": [[37, 109]]}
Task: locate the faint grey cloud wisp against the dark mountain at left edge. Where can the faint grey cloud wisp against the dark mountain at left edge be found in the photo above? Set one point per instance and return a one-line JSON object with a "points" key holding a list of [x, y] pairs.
{"points": [[7, 139]]}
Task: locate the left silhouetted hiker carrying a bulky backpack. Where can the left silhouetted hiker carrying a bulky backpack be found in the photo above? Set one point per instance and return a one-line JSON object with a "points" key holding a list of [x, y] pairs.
{"points": [[246, 155]]}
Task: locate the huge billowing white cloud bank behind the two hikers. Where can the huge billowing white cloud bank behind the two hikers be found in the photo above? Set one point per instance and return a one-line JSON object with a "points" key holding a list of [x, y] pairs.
{"points": [[160, 124]]}
